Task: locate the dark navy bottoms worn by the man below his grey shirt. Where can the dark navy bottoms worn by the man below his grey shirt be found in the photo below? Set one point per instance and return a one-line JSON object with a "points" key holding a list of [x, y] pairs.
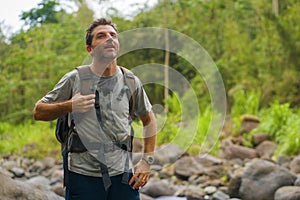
{"points": [[83, 187]]}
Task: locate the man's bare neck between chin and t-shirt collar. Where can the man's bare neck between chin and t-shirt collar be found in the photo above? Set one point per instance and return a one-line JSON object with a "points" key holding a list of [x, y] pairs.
{"points": [[104, 69]]}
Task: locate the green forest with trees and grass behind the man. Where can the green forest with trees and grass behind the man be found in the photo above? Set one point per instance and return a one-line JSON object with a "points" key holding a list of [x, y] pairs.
{"points": [[254, 44]]}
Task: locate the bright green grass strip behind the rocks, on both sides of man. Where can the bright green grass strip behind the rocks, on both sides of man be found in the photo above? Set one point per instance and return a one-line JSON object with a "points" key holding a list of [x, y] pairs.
{"points": [[37, 139]]}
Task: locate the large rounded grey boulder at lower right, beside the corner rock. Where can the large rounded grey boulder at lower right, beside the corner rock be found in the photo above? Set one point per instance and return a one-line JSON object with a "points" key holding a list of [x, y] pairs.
{"points": [[262, 178]]}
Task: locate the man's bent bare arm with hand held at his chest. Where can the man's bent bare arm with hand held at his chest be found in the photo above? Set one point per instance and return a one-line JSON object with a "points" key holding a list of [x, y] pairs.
{"points": [[50, 111]]}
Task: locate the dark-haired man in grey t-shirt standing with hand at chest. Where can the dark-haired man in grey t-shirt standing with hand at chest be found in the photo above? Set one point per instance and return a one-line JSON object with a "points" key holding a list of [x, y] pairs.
{"points": [[102, 116]]}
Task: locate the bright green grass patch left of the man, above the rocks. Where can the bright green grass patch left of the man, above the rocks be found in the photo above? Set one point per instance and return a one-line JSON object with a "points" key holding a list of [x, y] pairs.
{"points": [[29, 140]]}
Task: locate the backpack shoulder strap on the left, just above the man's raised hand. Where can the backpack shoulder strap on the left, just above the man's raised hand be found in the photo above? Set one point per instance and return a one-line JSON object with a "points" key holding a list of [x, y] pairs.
{"points": [[86, 79]]}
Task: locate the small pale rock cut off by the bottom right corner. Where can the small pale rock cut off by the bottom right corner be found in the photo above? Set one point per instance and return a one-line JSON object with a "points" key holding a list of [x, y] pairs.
{"points": [[288, 193]]}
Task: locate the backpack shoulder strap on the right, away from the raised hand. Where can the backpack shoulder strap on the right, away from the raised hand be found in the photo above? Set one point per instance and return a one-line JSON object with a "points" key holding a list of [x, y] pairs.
{"points": [[130, 81]]}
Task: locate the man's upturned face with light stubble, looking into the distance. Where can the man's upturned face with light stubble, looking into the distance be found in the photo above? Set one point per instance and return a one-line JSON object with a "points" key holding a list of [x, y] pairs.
{"points": [[105, 43]]}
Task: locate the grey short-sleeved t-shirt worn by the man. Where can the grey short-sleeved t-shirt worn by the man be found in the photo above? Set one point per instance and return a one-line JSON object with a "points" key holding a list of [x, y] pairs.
{"points": [[115, 121]]}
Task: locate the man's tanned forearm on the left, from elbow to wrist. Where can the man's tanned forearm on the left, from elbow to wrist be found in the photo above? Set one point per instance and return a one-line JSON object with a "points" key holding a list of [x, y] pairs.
{"points": [[50, 111]]}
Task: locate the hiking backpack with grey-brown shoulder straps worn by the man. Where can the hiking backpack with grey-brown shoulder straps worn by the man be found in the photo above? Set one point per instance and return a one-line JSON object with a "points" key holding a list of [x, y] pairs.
{"points": [[65, 131]]}
